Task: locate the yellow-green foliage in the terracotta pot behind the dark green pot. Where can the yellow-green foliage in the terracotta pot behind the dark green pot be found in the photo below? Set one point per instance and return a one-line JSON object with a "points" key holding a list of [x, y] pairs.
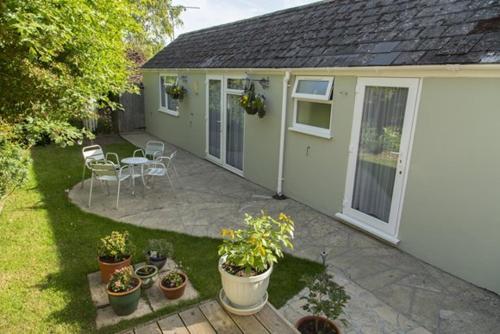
{"points": [[115, 247]]}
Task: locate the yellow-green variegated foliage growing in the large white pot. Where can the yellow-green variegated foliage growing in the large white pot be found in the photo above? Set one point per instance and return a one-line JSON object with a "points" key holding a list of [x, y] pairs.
{"points": [[254, 249]]}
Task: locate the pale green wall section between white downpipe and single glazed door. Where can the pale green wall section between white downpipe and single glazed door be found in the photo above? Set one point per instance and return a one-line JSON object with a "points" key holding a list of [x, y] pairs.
{"points": [[317, 176]]}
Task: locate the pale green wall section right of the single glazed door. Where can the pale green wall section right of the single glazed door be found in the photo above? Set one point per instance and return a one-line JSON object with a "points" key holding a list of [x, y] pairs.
{"points": [[451, 210]]}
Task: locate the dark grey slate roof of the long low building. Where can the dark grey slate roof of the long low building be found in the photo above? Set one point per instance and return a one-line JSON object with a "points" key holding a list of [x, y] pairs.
{"points": [[343, 33]]}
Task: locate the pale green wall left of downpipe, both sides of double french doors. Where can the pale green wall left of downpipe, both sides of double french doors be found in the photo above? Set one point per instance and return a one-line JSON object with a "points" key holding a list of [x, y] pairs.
{"points": [[188, 130]]}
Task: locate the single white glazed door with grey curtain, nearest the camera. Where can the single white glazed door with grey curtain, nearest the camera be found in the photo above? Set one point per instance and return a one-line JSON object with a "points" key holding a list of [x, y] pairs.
{"points": [[383, 122]]}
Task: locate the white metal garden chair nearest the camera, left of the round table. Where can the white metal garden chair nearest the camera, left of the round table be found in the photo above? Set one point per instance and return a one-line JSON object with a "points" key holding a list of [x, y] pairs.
{"points": [[107, 172]]}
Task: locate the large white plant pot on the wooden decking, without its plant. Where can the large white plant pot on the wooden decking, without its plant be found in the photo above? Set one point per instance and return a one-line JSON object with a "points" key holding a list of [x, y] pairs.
{"points": [[244, 291]]}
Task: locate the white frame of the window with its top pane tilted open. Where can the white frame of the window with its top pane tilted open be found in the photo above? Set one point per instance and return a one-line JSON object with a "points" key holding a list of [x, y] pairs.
{"points": [[324, 99]]}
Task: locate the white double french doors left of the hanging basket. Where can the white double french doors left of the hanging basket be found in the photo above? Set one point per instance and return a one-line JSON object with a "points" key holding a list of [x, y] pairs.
{"points": [[225, 122]]}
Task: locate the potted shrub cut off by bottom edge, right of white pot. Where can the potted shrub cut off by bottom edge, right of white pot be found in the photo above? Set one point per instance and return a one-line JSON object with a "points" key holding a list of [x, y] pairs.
{"points": [[326, 301]]}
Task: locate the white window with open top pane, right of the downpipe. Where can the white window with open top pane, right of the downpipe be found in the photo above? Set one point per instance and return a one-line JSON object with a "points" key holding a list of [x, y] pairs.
{"points": [[313, 106]]}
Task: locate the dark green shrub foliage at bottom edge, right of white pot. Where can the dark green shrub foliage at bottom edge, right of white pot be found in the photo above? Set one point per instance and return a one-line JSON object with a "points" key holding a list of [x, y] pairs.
{"points": [[326, 298]]}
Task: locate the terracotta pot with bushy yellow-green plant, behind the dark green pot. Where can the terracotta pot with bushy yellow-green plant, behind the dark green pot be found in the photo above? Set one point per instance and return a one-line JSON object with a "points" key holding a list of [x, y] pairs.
{"points": [[114, 252]]}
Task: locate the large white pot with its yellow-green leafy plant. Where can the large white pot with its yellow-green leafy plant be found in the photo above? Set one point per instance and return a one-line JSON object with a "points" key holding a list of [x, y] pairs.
{"points": [[247, 258]]}
